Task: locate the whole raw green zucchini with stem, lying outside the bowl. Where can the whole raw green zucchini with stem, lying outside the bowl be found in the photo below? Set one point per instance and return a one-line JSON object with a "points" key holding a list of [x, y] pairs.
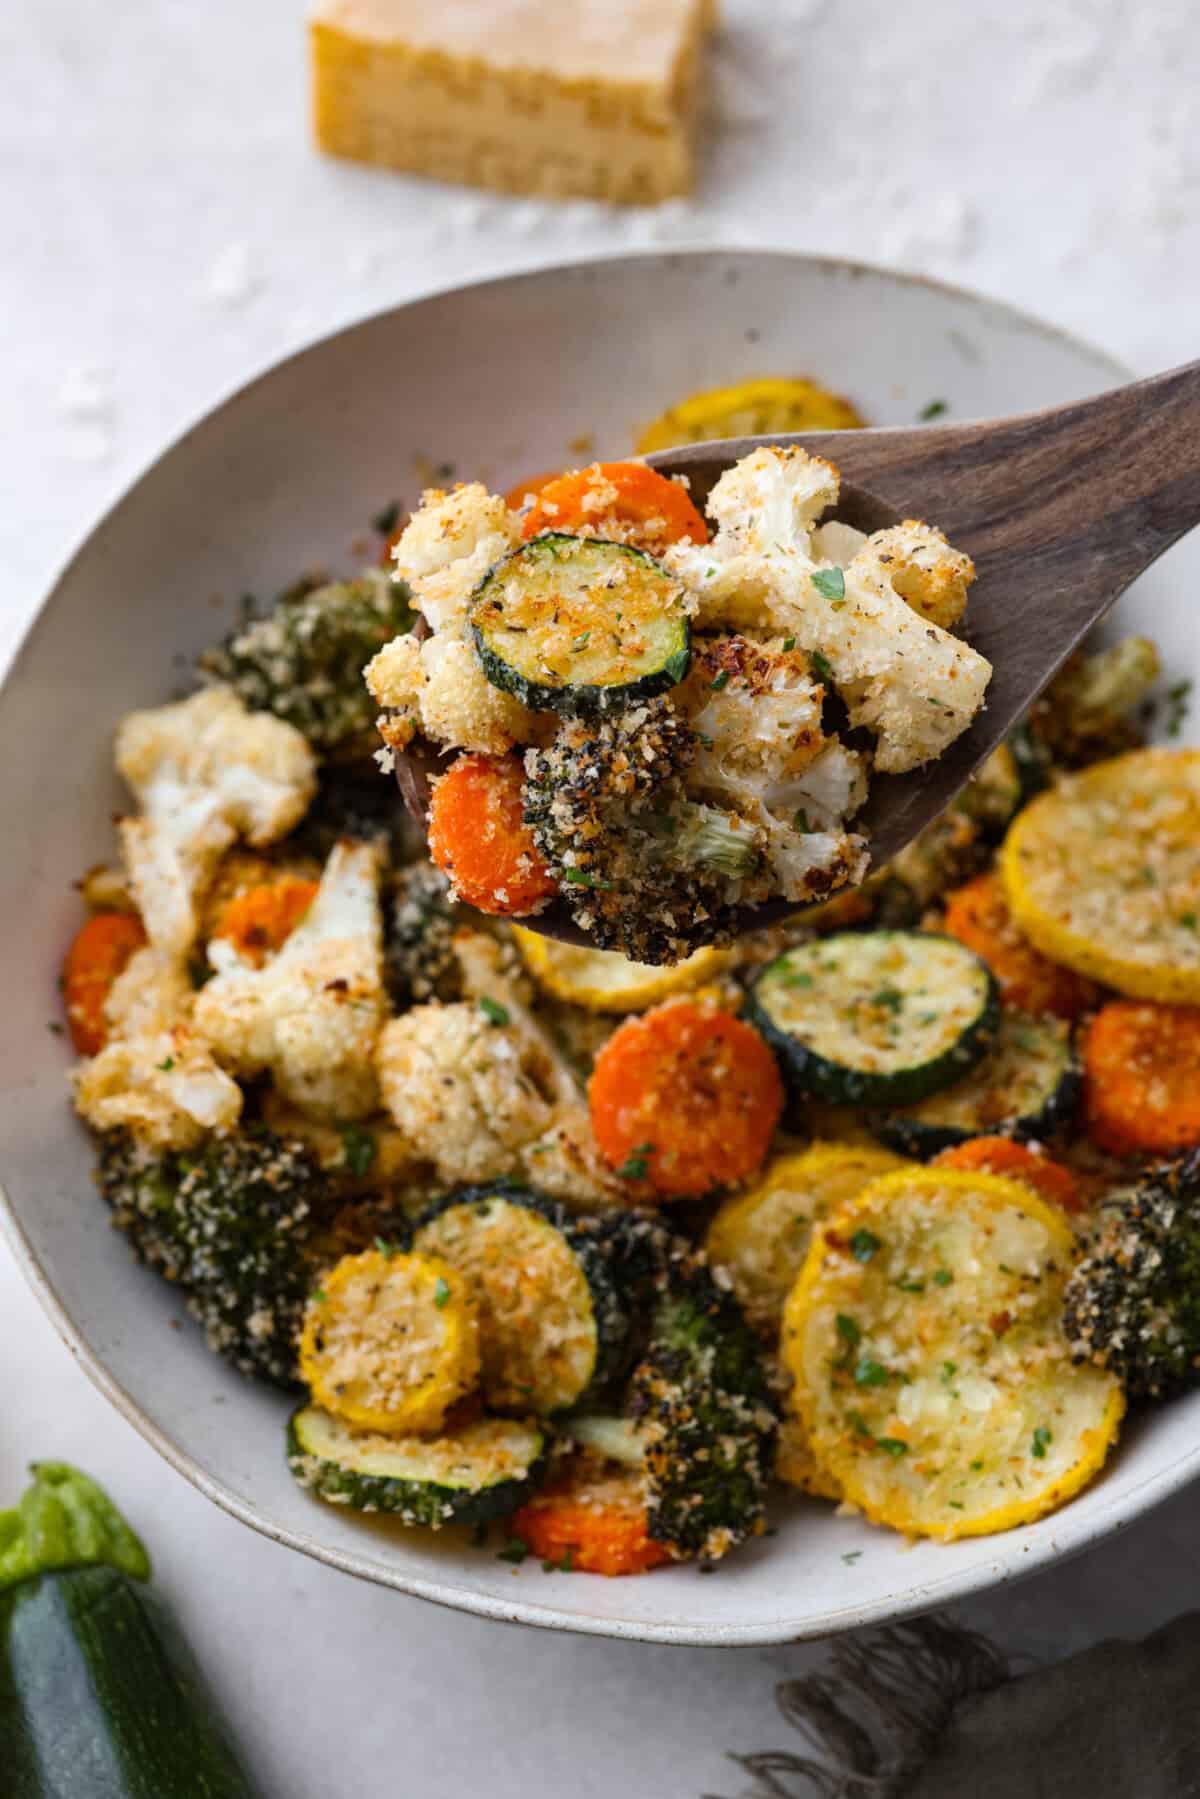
{"points": [[100, 1696]]}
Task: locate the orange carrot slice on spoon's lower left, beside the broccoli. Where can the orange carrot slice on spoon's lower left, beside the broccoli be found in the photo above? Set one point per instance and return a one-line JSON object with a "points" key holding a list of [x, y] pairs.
{"points": [[481, 841]]}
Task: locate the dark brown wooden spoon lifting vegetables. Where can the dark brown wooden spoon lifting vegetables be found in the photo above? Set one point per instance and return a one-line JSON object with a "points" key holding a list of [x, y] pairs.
{"points": [[1059, 510]]}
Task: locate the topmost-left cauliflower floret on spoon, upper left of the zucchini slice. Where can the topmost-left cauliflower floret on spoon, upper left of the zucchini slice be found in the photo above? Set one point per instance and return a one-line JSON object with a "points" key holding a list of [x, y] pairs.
{"points": [[449, 548]]}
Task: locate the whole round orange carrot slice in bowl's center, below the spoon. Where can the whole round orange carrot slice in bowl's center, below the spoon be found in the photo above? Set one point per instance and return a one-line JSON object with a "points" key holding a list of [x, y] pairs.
{"points": [[685, 1098]]}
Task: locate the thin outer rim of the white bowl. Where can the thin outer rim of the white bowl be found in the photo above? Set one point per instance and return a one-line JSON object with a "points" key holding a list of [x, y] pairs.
{"points": [[954, 1586]]}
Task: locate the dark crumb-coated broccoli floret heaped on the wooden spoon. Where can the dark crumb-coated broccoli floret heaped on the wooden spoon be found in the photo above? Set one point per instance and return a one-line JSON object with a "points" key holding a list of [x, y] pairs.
{"points": [[647, 872]]}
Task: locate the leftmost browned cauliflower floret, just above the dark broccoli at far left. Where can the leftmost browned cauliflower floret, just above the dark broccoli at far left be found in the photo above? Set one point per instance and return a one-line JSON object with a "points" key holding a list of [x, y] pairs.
{"points": [[156, 1077]]}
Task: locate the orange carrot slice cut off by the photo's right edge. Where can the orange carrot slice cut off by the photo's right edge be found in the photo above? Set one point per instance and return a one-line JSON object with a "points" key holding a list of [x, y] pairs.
{"points": [[1142, 1070]]}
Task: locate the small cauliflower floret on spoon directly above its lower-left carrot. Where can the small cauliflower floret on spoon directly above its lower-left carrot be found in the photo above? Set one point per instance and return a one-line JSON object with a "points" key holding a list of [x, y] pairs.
{"points": [[440, 690]]}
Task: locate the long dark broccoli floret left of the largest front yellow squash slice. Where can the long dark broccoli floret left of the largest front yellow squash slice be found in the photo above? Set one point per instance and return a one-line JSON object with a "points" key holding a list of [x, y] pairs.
{"points": [[699, 1413]]}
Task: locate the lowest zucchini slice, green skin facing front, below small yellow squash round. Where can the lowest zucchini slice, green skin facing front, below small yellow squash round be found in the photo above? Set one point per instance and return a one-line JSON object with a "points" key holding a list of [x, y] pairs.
{"points": [[479, 1472]]}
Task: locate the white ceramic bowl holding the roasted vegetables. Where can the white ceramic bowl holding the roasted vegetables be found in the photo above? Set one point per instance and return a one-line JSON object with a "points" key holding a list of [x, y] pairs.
{"points": [[496, 380]]}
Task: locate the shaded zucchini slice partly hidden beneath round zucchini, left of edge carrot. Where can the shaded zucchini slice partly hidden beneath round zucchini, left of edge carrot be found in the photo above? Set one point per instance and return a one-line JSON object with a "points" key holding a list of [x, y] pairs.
{"points": [[1028, 1087]]}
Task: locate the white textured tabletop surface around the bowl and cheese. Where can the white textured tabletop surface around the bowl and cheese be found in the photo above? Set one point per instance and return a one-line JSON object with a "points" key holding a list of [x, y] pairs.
{"points": [[165, 231]]}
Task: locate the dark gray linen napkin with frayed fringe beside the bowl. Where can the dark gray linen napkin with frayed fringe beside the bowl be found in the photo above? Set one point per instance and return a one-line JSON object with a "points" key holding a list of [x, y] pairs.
{"points": [[931, 1712]]}
